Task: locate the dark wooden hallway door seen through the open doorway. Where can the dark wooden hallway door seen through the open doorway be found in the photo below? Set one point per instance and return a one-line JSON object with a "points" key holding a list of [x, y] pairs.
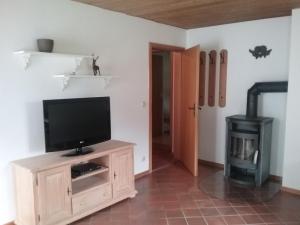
{"points": [[157, 95]]}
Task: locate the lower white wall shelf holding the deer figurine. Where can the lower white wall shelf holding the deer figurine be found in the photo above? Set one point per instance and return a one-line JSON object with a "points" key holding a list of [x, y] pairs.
{"points": [[65, 78]]}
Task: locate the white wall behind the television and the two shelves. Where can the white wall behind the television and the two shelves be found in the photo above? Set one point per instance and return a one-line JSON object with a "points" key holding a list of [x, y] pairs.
{"points": [[120, 41]]}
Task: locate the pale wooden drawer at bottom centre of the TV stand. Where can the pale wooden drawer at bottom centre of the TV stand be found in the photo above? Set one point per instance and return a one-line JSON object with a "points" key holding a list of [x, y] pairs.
{"points": [[91, 199]]}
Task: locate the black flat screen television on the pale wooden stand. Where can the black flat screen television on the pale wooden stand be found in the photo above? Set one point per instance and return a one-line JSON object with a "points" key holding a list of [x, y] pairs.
{"points": [[76, 123]]}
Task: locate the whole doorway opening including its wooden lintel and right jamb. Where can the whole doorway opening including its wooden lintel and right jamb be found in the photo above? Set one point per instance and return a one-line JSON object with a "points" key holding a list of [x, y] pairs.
{"points": [[164, 75]]}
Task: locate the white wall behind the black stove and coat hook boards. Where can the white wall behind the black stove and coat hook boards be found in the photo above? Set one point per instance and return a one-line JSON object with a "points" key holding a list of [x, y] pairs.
{"points": [[243, 71]]}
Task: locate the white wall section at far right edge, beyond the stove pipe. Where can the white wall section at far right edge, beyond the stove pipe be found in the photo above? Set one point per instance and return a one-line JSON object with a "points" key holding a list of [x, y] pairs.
{"points": [[292, 145]]}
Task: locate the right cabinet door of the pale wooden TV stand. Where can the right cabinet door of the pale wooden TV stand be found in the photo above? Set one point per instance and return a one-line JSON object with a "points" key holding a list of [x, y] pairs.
{"points": [[122, 164]]}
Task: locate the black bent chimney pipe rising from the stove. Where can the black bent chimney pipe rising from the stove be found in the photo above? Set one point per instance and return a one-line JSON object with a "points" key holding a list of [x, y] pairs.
{"points": [[262, 87]]}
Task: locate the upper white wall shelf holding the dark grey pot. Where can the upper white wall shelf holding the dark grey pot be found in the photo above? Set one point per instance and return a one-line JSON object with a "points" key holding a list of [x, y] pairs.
{"points": [[25, 57]]}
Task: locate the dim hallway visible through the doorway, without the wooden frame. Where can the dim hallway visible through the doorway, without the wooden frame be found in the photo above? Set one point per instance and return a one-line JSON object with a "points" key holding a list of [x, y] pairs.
{"points": [[161, 109]]}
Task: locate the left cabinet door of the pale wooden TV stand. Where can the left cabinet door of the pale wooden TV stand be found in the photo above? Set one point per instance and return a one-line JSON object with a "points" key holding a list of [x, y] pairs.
{"points": [[54, 195]]}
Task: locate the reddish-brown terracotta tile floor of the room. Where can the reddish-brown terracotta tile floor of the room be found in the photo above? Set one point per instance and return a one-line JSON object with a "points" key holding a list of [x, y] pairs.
{"points": [[171, 196]]}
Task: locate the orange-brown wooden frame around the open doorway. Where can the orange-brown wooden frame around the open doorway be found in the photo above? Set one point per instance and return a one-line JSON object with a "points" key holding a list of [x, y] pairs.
{"points": [[169, 48]]}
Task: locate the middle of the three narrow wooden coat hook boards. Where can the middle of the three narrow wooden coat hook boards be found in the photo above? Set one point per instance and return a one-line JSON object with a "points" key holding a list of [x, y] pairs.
{"points": [[212, 78]]}
